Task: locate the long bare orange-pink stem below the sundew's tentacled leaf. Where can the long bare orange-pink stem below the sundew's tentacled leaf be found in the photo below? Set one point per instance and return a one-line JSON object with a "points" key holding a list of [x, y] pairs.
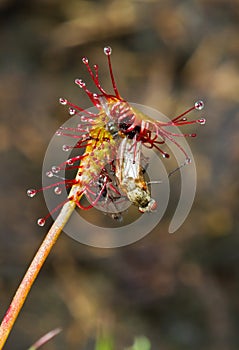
{"points": [[33, 270]]}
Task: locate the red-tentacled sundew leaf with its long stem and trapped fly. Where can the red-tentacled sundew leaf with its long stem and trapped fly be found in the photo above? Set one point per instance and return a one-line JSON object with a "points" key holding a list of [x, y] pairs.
{"points": [[106, 150]]}
